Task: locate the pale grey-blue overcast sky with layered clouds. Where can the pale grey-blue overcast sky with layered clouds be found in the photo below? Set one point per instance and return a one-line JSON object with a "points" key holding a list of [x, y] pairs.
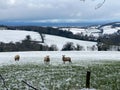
{"points": [[58, 10]]}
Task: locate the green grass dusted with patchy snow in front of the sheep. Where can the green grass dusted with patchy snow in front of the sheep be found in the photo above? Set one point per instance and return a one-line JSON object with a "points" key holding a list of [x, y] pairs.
{"points": [[104, 76]]}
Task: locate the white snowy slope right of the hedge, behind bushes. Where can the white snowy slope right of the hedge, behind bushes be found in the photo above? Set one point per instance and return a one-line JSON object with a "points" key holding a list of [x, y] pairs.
{"points": [[60, 41]]}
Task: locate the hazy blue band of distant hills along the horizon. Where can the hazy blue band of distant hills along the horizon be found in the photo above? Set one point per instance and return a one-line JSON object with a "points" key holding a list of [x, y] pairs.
{"points": [[50, 24]]}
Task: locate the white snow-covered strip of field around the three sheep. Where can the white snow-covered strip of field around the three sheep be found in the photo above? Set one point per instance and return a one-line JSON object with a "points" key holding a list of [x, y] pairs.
{"points": [[78, 57]]}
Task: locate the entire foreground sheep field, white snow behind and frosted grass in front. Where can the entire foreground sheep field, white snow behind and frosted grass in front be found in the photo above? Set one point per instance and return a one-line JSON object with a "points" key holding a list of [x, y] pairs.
{"points": [[104, 67]]}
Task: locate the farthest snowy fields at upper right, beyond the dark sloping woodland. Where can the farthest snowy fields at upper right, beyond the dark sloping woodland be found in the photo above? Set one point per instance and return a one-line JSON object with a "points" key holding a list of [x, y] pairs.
{"points": [[95, 30]]}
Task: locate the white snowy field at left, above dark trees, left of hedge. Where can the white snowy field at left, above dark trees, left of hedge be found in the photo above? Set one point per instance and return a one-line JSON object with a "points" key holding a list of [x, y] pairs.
{"points": [[17, 35]]}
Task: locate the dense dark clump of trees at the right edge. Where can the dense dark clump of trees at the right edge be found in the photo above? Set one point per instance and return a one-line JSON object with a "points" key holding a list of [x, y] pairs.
{"points": [[109, 41]]}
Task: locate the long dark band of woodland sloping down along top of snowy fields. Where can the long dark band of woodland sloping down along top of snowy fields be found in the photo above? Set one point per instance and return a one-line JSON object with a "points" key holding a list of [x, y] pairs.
{"points": [[54, 31]]}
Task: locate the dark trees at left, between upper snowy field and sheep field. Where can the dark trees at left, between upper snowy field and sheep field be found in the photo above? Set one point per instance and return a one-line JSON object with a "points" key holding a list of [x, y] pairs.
{"points": [[25, 45]]}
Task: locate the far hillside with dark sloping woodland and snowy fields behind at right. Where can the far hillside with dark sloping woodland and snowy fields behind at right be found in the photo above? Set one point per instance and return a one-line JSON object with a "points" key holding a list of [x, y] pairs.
{"points": [[87, 33]]}
